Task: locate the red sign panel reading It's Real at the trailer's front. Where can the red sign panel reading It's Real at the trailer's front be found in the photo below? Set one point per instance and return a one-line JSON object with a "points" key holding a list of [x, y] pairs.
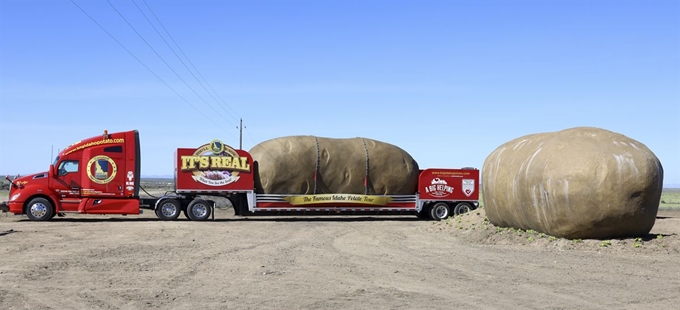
{"points": [[214, 166]]}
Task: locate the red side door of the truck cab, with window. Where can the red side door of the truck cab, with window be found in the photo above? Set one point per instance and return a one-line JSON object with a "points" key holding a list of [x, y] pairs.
{"points": [[67, 184]]}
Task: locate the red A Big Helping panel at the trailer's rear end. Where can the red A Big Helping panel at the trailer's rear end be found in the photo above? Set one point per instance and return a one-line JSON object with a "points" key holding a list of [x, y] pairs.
{"points": [[449, 184]]}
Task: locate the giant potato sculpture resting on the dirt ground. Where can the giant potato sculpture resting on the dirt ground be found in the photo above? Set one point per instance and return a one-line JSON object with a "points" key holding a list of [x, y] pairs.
{"points": [[577, 183]]}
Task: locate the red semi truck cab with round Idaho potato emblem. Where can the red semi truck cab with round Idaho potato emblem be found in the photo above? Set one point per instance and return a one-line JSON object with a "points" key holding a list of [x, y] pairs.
{"points": [[98, 175]]}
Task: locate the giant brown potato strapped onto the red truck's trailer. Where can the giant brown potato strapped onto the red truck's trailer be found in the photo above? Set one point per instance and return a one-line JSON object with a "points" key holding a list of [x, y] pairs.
{"points": [[287, 165]]}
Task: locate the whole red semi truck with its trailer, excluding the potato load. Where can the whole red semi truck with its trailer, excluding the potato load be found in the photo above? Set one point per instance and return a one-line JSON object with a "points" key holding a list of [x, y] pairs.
{"points": [[101, 175]]}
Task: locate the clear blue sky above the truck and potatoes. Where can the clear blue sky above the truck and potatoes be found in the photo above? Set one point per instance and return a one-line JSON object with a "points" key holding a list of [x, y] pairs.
{"points": [[448, 81]]}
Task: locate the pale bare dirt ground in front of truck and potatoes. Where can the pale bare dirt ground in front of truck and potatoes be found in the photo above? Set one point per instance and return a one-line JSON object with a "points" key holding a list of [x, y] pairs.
{"points": [[115, 262]]}
